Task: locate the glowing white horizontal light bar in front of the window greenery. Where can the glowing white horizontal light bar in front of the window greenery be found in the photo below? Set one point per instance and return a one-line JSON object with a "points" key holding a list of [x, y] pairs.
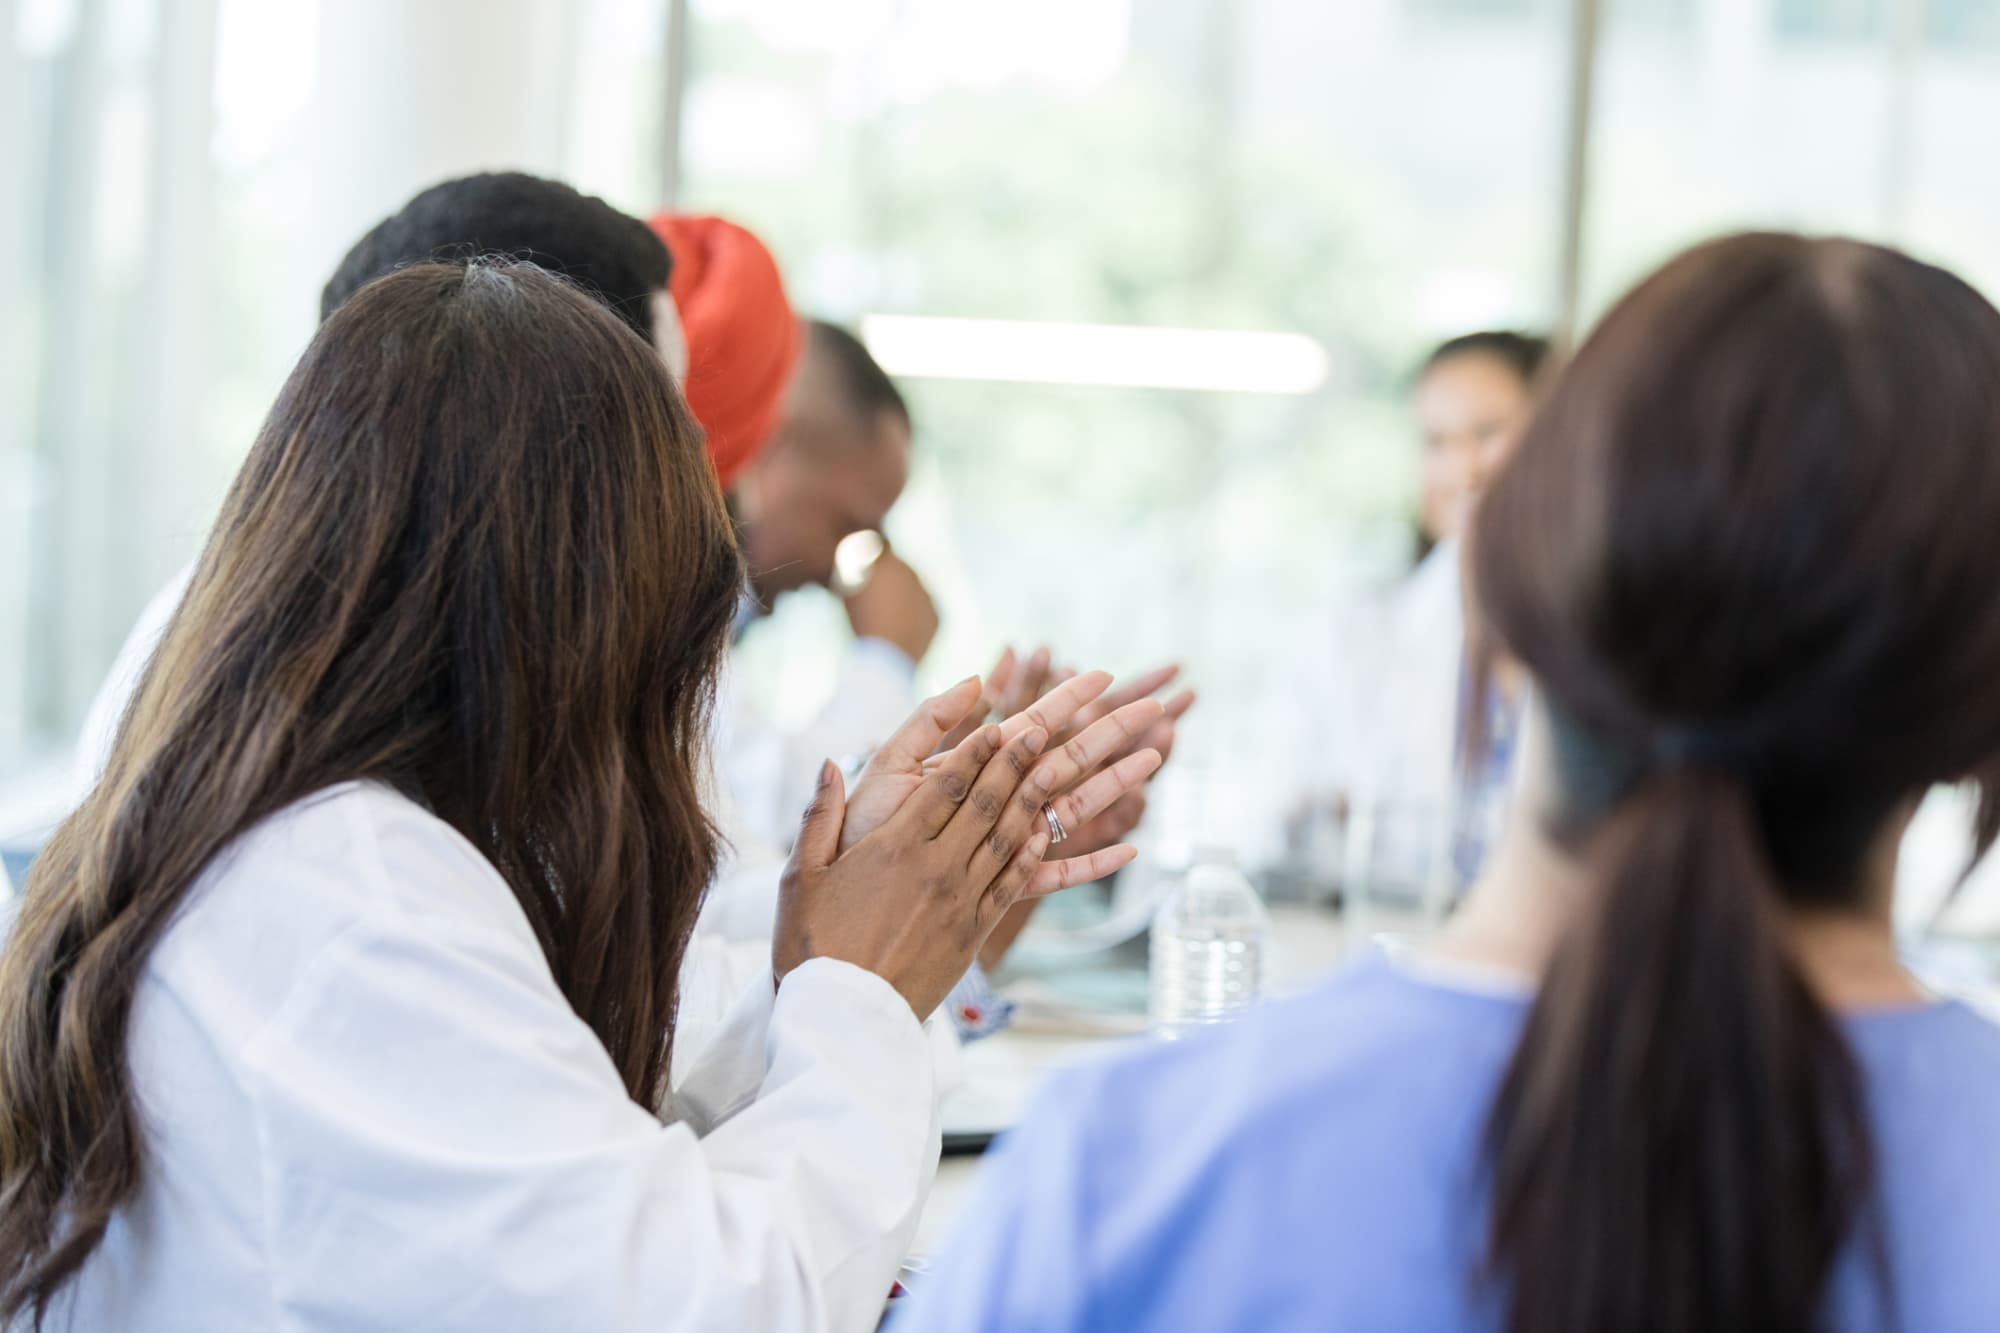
{"points": [[1113, 355]]}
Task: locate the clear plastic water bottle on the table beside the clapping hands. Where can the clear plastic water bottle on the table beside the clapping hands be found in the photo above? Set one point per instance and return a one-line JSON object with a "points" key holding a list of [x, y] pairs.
{"points": [[1207, 950]]}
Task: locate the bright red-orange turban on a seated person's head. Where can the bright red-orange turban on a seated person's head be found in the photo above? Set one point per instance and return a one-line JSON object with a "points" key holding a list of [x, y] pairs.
{"points": [[743, 335]]}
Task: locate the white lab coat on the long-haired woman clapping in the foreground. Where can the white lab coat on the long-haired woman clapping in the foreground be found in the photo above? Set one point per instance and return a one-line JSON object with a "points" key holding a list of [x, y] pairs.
{"points": [[371, 1108]]}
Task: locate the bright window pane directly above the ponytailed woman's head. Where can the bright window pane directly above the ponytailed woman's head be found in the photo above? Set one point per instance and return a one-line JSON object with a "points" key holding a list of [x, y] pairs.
{"points": [[1819, 115]]}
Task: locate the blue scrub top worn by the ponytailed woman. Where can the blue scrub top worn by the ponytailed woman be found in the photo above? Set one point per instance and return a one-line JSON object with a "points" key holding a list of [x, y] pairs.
{"points": [[1317, 1168]]}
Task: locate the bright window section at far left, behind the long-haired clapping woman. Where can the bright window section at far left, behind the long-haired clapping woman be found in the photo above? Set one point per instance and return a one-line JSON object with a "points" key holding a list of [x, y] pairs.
{"points": [[177, 181]]}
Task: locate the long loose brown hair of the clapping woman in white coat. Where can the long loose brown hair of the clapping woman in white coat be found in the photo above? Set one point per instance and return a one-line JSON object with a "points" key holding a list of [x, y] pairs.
{"points": [[477, 555]]}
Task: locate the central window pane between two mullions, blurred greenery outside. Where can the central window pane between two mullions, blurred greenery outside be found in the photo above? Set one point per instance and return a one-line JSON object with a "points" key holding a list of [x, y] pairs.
{"points": [[1333, 173]]}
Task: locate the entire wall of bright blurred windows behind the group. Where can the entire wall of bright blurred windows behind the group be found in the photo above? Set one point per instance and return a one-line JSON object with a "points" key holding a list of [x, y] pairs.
{"points": [[179, 177]]}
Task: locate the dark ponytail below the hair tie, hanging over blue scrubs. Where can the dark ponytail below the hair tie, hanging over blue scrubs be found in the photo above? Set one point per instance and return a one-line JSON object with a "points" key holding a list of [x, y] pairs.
{"points": [[1681, 1142]]}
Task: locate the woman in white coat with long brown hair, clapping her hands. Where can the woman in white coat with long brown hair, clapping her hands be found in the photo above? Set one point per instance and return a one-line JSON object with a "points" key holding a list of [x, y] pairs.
{"points": [[347, 1000]]}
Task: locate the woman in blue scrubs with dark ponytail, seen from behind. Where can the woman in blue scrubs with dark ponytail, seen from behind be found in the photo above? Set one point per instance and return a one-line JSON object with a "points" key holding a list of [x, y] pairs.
{"points": [[1665, 1072]]}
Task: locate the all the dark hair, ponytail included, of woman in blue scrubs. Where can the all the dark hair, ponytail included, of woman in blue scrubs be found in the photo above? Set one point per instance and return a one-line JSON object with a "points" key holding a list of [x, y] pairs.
{"points": [[1749, 555]]}
